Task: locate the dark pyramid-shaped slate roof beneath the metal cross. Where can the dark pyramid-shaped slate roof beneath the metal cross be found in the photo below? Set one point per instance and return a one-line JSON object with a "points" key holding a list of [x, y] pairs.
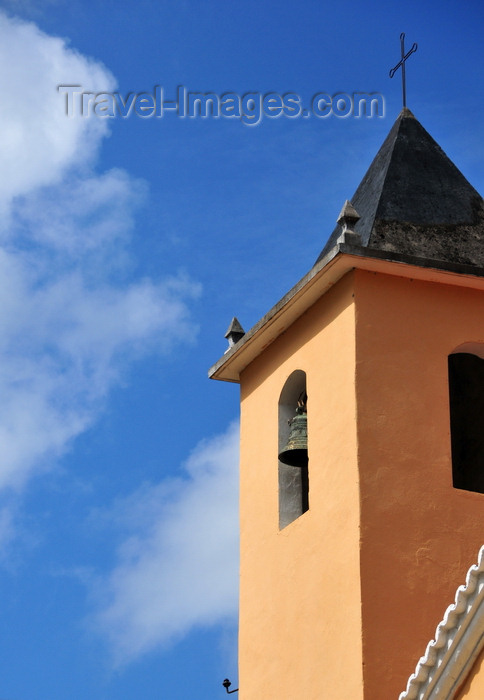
{"points": [[414, 201]]}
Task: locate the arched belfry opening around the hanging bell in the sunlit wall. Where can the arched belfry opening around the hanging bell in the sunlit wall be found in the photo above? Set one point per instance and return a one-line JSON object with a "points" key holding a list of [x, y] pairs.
{"points": [[293, 481]]}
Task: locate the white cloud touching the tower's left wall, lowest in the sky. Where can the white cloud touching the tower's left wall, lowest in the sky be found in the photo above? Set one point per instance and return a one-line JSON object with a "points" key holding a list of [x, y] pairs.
{"points": [[178, 565]]}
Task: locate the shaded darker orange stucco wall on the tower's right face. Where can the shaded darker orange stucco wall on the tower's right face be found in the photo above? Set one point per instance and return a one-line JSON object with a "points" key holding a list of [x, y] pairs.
{"points": [[419, 535]]}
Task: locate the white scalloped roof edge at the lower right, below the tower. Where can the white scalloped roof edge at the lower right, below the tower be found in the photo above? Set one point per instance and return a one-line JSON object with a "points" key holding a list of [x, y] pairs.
{"points": [[459, 639]]}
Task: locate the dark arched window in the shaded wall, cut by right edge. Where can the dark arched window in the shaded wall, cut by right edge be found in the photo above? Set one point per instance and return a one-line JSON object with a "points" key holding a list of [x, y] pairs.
{"points": [[466, 393]]}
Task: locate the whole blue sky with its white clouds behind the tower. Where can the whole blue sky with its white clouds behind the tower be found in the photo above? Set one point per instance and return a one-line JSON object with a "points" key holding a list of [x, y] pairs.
{"points": [[126, 246]]}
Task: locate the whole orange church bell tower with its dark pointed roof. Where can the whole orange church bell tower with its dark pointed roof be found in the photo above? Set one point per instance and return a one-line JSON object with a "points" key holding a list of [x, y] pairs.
{"points": [[348, 560]]}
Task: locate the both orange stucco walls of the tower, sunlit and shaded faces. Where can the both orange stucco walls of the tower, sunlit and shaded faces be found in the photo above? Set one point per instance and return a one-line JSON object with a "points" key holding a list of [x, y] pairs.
{"points": [[342, 603]]}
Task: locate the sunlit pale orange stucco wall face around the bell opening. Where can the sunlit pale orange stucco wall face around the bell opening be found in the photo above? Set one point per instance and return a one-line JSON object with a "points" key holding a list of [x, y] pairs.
{"points": [[300, 589]]}
